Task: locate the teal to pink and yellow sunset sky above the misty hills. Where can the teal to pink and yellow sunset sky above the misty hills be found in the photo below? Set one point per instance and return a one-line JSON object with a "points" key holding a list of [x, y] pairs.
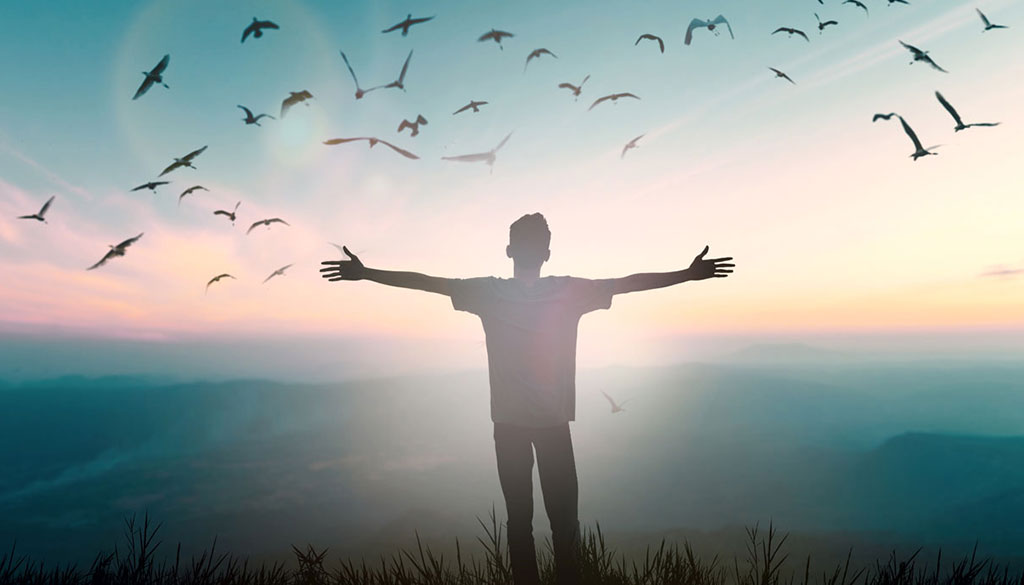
{"points": [[834, 229]]}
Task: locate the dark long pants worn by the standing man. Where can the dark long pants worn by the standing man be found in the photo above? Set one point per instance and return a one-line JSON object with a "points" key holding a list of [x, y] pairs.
{"points": [[515, 449]]}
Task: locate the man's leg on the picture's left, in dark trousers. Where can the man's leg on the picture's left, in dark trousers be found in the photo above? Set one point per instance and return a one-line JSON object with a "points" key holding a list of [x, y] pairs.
{"points": [[516, 472]]}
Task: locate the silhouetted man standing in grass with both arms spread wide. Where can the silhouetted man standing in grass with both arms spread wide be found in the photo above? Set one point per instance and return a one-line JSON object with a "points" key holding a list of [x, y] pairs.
{"points": [[531, 323]]}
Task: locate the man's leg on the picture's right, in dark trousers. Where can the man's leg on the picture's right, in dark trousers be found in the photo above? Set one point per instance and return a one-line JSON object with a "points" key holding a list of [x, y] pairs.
{"points": [[562, 498]]}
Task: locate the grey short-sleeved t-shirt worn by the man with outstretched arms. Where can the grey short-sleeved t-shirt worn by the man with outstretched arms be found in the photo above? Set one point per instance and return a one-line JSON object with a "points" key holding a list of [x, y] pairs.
{"points": [[531, 332]]}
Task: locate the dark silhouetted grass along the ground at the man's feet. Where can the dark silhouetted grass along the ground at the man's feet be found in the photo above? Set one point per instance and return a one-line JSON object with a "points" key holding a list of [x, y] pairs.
{"points": [[135, 562]]}
